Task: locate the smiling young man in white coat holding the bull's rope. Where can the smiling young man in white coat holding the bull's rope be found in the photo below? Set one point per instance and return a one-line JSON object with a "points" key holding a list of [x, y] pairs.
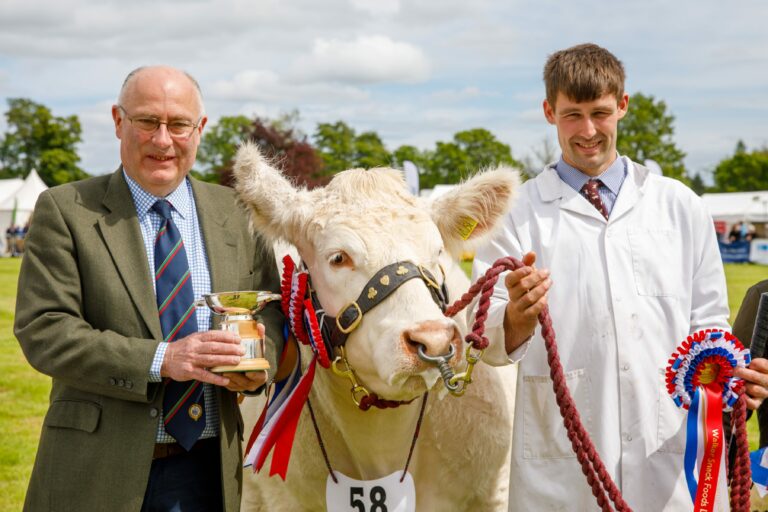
{"points": [[636, 269]]}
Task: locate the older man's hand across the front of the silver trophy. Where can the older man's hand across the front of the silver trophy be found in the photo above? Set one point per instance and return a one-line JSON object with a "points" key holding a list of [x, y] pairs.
{"points": [[190, 357]]}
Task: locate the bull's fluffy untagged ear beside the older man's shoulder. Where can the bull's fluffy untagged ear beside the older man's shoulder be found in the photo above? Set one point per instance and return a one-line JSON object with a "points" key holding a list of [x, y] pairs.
{"points": [[279, 211]]}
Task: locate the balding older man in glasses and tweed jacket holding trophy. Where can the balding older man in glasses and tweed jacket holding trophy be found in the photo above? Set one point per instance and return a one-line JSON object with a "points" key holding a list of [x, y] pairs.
{"points": [[112, 269]]}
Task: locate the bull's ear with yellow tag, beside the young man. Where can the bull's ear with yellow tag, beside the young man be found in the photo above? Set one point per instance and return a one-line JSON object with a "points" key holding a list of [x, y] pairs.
{"points": [[469, 213]]}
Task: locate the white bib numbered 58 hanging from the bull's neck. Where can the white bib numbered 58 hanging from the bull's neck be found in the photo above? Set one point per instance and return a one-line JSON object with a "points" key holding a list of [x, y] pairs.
{"points": [[386, 494]]}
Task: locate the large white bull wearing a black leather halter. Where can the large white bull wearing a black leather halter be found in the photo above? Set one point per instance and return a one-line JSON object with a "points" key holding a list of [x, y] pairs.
{"points": [[344, 233]]}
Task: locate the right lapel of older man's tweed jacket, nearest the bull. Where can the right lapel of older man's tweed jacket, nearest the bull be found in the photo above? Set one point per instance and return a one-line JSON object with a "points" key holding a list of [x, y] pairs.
{"points": [[214, 214]]}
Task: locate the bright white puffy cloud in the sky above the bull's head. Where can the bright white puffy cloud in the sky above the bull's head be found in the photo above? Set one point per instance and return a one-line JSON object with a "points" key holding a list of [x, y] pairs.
{"points": [[363, 60]]}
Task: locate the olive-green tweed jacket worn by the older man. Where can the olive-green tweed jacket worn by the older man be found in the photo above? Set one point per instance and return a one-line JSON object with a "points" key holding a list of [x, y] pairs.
{"points": [[86, 315]]}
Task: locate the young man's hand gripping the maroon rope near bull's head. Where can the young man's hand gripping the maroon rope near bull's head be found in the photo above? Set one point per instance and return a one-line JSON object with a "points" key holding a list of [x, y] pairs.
{"points": [[527, 288]]}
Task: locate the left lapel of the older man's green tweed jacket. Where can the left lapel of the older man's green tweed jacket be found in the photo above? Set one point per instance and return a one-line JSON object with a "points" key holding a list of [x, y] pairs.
{"points": [[122, 235]]}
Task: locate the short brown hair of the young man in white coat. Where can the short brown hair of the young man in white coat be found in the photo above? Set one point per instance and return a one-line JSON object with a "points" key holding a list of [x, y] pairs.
{"points": [[583, 72]]}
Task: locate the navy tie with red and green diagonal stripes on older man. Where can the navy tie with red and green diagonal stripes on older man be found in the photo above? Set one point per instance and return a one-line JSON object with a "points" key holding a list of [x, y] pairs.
{"points": [[183, 405]]}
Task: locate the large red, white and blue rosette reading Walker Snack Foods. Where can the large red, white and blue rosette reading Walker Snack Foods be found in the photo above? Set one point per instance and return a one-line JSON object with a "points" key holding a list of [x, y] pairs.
{"points": [[700, 378]]}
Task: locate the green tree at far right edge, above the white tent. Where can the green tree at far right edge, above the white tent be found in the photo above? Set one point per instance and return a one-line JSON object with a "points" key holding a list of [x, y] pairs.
{"points": [[744, 171]]}
